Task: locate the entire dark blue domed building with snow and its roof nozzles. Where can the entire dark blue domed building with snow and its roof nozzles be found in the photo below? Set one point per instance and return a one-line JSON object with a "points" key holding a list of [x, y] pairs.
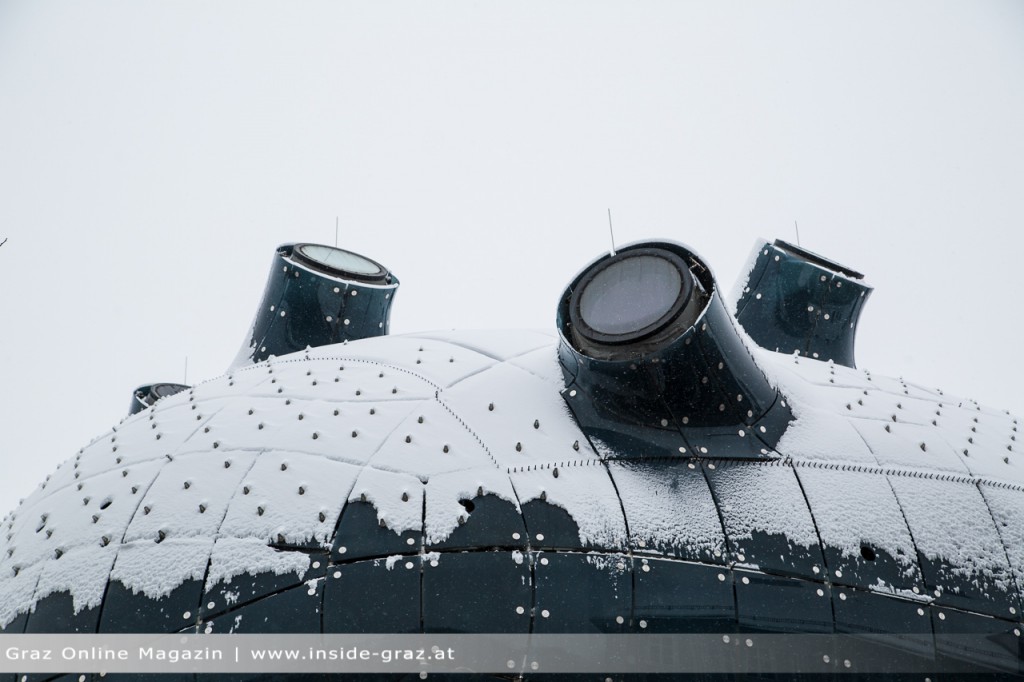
{"points": [[662, 461]]}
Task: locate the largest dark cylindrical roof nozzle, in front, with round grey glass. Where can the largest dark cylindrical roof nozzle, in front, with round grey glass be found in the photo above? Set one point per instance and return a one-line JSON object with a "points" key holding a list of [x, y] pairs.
{"points": [[654, 364]]}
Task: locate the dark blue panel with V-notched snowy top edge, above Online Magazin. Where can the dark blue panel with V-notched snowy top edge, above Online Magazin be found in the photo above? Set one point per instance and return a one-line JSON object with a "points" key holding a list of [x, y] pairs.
{"points": [[129, 612]]}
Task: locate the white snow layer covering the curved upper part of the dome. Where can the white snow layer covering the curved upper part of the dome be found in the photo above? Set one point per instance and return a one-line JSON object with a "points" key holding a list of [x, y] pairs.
{"points": [[271, 453]]}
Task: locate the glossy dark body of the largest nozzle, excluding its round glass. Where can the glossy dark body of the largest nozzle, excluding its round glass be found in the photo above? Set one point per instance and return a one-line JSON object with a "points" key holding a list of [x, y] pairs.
{"points": [[691, 390]]}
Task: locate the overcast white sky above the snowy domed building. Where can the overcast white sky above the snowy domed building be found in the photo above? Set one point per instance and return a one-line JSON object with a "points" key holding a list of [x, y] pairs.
{"points": [[154, 153]]}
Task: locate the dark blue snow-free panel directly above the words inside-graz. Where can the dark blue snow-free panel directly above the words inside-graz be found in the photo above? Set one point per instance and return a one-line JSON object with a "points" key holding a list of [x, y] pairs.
{"points": [[373, 598]]}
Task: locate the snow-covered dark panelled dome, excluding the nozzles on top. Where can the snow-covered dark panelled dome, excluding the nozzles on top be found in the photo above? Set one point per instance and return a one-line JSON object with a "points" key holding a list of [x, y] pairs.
{"points": [[440, 483]]}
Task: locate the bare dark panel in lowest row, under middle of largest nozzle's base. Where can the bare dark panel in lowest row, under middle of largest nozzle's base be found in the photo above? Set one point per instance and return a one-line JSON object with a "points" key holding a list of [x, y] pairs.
{"points": [[680, 598]]}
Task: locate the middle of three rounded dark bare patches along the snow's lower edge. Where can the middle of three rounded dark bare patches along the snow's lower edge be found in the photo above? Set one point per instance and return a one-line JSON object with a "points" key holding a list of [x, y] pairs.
{"points": [[491, 523]]}
